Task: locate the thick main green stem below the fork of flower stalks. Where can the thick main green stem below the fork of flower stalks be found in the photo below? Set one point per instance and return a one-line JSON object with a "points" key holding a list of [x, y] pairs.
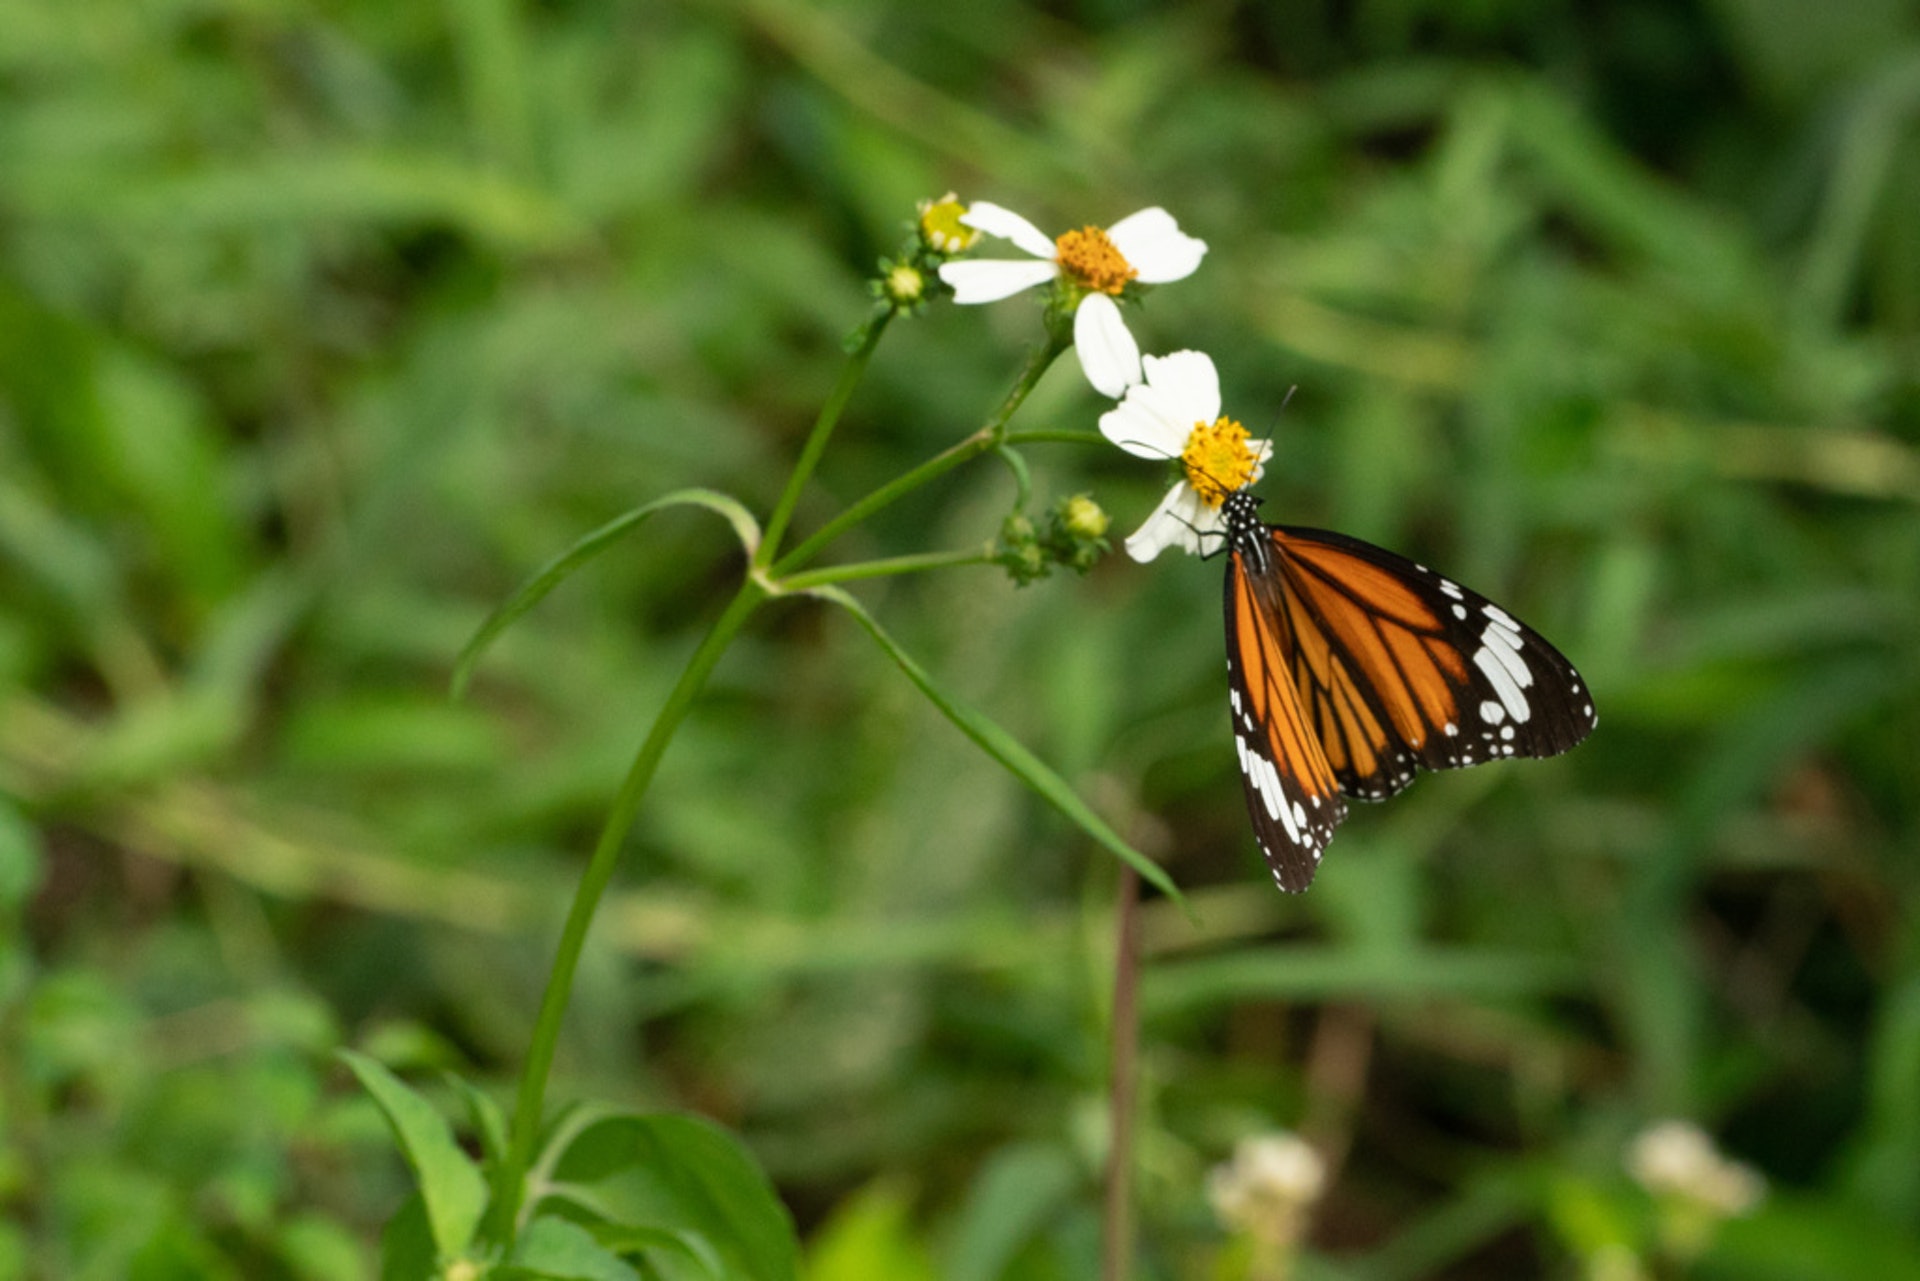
{"points": [[527, 1121]]}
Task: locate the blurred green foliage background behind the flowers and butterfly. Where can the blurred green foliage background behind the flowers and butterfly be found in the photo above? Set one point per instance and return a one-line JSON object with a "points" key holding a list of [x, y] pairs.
{"points": [[324, 326]]}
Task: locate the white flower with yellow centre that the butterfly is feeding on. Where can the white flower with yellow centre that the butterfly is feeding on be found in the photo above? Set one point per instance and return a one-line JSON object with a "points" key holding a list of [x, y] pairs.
{"points": [[1176, 416]]}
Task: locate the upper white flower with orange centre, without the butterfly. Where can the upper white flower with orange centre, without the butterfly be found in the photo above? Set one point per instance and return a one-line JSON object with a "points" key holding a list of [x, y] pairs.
{"points": [[1099, 266]]}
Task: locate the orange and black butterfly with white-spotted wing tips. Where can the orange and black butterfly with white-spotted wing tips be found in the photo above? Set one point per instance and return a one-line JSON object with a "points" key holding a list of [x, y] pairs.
{"points": [[1351, 665]]}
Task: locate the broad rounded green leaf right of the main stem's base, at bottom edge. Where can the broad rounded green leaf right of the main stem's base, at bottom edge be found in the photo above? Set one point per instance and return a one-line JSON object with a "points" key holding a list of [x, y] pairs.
{"points": [[688, 1176]]}
